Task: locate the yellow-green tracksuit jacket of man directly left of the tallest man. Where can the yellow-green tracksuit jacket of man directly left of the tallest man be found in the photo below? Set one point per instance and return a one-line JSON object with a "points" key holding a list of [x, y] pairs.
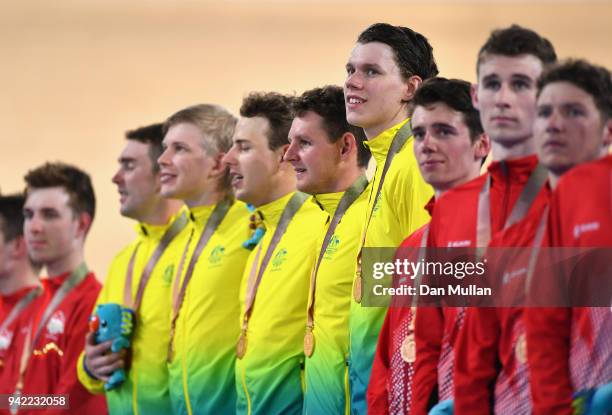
{"points": [[327, 370]]}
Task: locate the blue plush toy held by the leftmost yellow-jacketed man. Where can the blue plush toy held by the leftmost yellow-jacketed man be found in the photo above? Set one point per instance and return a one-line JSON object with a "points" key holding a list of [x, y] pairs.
{"points": [[113, 322]]}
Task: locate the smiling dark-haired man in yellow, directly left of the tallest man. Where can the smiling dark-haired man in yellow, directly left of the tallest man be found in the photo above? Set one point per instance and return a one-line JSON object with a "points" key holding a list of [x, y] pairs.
{"points": [[329, 159]]}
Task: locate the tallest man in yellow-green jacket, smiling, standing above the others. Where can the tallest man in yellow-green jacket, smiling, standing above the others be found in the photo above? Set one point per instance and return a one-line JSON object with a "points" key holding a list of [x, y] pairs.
{"points": [[384, 70]]}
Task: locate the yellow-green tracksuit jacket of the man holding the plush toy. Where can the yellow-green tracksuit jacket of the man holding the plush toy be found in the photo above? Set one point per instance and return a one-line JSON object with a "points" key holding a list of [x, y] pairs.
{"points": [[145, 390]]}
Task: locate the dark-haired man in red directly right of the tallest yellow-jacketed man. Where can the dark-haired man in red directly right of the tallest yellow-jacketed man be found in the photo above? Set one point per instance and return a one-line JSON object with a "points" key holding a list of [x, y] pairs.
{"points": [[450, 146]]}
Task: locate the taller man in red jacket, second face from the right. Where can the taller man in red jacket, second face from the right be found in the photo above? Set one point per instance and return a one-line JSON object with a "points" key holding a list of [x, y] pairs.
{"points": [[508, 65]]}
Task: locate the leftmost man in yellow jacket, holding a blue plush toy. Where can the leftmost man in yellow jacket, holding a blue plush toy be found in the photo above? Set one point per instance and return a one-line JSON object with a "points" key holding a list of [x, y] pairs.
{"points": [[139, 278]]}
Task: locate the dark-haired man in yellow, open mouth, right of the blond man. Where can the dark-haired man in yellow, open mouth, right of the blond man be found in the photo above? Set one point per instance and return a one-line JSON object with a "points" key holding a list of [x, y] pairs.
{"points": [[274, 290]]}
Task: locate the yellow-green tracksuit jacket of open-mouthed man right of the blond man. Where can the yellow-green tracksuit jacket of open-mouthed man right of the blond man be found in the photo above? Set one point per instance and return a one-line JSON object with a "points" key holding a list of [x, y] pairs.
{"points": [[269, 376]]}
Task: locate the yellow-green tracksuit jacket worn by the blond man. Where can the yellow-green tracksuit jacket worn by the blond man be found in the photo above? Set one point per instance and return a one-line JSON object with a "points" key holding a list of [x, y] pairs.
{"points": [[202, 366]]}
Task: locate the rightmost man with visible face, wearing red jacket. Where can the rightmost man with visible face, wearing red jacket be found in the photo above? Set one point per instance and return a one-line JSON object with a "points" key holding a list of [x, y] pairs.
{"points": [[493, 338]]}
